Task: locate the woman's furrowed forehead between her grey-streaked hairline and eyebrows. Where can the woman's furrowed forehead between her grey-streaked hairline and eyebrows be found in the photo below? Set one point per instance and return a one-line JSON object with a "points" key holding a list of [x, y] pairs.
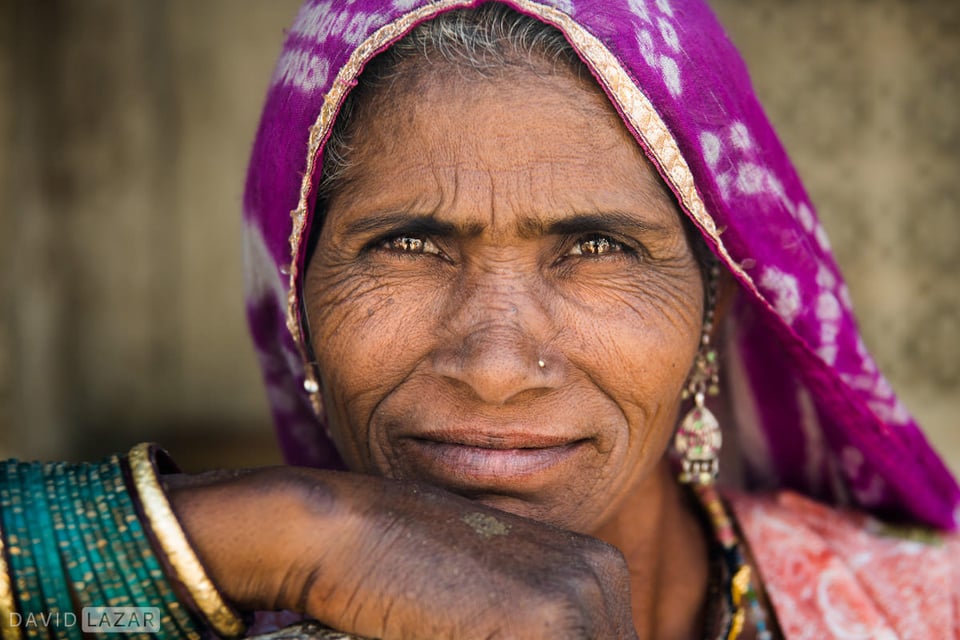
{"points": [[499, 159]]}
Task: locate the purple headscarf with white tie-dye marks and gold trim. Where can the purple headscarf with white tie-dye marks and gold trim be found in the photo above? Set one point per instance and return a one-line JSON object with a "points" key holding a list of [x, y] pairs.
{"points": [[812, 411]]}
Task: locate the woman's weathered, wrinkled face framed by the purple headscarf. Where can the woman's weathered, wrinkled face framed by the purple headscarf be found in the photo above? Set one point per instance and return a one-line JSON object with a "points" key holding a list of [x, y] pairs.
{"points": [[502, 299]]}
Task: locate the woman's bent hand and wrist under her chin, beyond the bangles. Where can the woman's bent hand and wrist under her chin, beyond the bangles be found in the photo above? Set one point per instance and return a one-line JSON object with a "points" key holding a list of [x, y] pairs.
{"points": [[391, 559]]}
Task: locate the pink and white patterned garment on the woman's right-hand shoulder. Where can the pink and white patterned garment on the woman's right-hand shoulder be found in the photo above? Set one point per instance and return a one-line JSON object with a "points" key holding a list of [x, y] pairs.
{"points": [[836, 574]]}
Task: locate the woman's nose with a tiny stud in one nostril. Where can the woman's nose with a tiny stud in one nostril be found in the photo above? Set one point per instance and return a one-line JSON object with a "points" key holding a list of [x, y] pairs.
{"points": [[497, 343]]}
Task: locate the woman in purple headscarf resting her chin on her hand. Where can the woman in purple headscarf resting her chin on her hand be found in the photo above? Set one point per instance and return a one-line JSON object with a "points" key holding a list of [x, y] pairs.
{"points": [[518, 234]]}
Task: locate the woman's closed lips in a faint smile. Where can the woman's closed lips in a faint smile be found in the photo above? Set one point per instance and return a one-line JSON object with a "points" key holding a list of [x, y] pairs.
{"points": [[505, 463]]}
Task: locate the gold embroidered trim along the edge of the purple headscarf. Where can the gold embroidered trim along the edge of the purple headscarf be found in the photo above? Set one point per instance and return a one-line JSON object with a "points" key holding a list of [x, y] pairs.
{"points": [[620, 88]]}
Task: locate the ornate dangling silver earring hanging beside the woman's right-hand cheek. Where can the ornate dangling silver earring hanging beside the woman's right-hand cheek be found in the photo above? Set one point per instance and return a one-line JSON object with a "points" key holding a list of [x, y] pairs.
{"points": [[698, 439]]}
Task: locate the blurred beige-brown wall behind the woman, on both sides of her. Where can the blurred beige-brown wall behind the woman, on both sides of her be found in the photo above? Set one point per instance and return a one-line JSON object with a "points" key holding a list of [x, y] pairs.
{"points": [[124, 133]]}
